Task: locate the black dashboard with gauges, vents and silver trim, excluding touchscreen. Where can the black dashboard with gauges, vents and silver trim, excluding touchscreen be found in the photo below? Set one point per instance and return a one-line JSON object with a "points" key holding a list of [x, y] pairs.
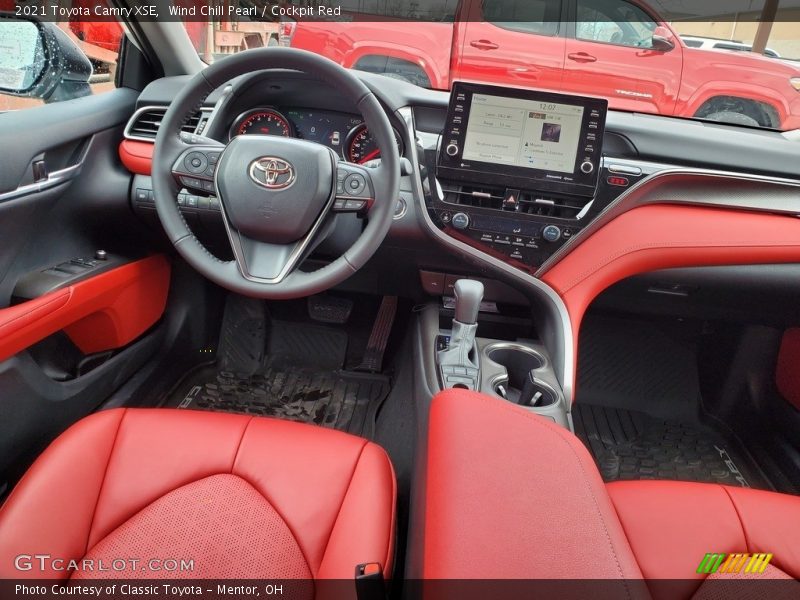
{"points": [[638, 158]]}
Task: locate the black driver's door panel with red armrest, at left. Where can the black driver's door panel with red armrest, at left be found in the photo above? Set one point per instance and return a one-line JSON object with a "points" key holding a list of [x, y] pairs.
{"points": [[50, 371]]}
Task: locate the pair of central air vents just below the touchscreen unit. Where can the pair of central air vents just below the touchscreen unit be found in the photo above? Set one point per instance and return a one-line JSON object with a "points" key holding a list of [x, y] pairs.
{"points": [[529, 203]]}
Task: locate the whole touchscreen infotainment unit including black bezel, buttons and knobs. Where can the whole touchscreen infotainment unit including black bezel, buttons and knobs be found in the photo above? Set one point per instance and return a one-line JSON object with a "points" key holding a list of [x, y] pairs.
{"points": [[538, 139]]}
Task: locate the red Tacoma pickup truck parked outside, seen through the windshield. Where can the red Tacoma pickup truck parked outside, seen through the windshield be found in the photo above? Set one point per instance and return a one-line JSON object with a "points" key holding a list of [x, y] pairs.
{"points": [[619, 49]]}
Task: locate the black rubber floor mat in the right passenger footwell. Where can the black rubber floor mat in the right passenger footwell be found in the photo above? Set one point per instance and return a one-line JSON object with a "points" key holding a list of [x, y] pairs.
{"points": [[633, 445]]}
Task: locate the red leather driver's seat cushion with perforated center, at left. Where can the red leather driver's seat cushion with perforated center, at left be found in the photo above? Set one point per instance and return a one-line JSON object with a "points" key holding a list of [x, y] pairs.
{"points": [[242, 497]]}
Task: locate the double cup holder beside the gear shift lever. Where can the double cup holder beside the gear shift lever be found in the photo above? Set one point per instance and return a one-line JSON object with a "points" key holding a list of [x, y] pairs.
{"points": [[519, 362]]}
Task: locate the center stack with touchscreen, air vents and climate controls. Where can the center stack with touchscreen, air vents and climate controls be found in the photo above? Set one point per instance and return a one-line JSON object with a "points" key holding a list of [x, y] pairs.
{"points": [[517, 172]]}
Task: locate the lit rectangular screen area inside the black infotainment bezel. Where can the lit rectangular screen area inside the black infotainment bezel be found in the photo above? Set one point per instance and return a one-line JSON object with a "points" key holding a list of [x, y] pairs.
{"points": [[523, 133]]}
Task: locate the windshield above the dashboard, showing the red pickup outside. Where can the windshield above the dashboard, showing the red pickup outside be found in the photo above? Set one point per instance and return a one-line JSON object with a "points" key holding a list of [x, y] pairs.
{"points": [[736, 61]]}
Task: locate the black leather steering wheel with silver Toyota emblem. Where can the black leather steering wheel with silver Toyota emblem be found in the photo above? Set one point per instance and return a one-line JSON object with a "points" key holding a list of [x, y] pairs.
{"points": [[278, 196]]}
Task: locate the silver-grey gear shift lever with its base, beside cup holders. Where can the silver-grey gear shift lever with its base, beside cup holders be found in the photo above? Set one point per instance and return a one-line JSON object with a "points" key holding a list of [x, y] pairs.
{"points": [[459, 363]]}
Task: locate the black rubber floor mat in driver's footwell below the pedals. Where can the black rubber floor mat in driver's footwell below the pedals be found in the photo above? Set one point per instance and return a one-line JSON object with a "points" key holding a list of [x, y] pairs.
{"points": [[330, 398]]}
